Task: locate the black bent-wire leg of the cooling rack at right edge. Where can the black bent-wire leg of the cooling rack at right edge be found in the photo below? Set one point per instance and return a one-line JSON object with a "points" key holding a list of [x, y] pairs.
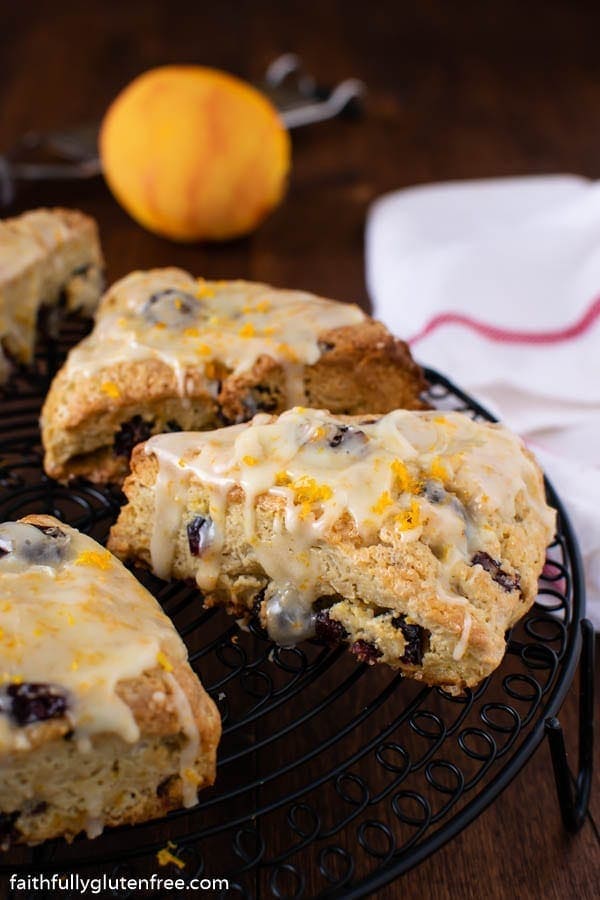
{"points": [[574, 802]]}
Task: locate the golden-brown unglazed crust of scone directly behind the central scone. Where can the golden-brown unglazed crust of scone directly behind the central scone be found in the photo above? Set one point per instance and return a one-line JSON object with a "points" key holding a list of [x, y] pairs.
{"points": [[361, 369]]}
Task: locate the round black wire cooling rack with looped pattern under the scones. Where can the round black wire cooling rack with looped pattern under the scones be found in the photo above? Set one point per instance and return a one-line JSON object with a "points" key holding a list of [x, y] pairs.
{"points": [[333, 777]]}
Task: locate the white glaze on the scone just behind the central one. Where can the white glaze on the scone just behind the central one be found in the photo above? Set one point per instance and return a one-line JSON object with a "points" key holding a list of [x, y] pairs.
{"points": [[235, 322]]}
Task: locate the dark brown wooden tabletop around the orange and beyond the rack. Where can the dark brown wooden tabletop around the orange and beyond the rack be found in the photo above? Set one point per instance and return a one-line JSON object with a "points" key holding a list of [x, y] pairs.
{"points": [[456, 90]]}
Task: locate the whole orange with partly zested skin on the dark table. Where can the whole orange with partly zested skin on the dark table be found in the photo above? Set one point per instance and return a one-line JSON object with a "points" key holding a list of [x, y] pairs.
{"points": [[194, 153]]}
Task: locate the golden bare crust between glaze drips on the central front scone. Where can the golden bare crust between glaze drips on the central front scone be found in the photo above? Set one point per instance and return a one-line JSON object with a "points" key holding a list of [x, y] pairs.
{"points": [[373, 583]]}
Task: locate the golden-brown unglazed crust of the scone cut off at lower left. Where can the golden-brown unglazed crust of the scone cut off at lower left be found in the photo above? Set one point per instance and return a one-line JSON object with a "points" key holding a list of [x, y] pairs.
{"points": [[47, 778]]}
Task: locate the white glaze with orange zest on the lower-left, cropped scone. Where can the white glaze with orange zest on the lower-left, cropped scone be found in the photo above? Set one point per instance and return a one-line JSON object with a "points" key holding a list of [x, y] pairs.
{"points": [[84, 624]]}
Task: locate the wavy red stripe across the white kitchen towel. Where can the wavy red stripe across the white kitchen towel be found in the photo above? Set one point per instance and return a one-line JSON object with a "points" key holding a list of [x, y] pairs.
{"points": [[508, 336]]}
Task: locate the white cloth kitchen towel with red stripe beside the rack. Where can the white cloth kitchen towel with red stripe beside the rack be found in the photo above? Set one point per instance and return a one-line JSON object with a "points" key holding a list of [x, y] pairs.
{"points": [[497, 284]]}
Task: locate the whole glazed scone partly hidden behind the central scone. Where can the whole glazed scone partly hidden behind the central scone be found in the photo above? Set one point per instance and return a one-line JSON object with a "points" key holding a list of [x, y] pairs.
{"points": [[174, 353]]}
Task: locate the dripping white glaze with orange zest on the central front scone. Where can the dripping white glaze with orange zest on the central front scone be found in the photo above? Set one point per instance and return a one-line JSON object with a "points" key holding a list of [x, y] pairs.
{"points": [[376, 476]]}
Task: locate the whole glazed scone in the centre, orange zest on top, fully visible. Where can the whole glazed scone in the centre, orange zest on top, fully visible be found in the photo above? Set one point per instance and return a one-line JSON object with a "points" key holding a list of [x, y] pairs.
{"points": [[416, 537]]}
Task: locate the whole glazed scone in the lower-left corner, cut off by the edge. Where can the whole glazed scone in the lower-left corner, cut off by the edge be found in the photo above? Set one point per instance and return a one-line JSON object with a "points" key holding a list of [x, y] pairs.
{"points": [[102, 721]]}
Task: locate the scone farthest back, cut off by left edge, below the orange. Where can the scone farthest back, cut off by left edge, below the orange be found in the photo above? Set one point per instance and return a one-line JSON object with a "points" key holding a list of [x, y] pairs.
{"points": [[47, 257]]}
